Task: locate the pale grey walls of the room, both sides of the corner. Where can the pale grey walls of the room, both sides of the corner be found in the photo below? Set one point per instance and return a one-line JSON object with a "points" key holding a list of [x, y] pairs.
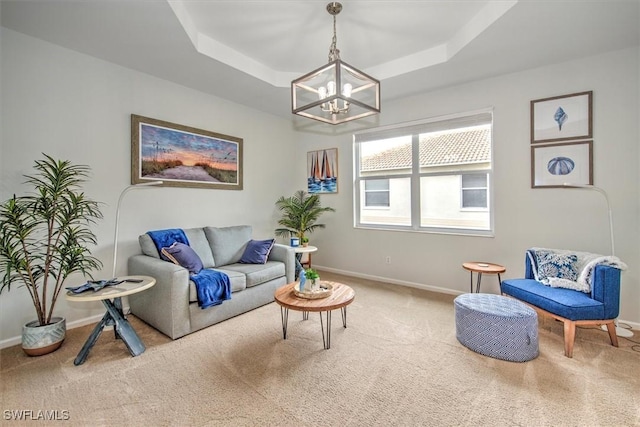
{"points": [[73, 106]]}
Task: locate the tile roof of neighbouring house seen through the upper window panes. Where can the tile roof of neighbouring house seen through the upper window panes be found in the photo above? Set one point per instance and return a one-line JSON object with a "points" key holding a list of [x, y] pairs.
{"points": [[458, 146]]}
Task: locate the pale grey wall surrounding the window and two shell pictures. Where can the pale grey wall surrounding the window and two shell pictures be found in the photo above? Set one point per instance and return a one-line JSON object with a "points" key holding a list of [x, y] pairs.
{"points": [[524, 217]]}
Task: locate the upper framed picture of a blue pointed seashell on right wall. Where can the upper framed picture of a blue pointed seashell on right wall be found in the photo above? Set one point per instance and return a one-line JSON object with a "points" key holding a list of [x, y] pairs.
{"points": [[562, 118]]}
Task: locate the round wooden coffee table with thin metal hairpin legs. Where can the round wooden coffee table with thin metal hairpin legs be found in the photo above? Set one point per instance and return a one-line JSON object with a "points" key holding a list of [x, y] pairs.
{"points": [[341, 297]]}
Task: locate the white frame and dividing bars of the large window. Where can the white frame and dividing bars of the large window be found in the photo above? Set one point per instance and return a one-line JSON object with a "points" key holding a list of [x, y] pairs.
{"points": [[454, 121]]}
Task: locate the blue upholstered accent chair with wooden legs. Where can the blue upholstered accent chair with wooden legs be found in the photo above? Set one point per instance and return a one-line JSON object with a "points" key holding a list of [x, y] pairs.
{"points": [[573, 308]]}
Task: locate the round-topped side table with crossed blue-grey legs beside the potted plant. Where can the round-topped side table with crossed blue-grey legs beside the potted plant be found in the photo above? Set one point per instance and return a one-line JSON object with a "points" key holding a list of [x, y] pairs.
{"points": [[111, 298]]}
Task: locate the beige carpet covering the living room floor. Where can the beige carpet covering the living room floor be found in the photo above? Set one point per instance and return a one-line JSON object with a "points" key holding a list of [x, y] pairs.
{"points": [[397, 363]]}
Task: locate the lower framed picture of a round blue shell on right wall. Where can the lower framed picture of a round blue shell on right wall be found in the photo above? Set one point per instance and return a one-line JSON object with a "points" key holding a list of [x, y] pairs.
{"points": [[554, 165]]}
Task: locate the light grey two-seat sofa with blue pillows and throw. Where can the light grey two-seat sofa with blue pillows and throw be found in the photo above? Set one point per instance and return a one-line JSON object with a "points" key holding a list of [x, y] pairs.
{"points": [[171, 305]]}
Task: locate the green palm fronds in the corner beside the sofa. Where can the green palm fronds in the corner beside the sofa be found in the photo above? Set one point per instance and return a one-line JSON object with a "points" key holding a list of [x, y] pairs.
{"points": [[300, 214]]}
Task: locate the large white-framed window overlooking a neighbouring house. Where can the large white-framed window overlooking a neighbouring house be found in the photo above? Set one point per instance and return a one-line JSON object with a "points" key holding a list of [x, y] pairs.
{"points": [[432, 175]]}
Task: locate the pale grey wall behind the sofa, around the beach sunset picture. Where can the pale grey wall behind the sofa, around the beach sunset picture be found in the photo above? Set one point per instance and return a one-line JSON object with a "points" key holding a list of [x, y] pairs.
{"points": [[76, 107]]}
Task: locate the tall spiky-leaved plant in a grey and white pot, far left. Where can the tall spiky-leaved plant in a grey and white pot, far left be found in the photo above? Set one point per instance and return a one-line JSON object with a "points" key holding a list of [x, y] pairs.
{"points": [[45, 238]]}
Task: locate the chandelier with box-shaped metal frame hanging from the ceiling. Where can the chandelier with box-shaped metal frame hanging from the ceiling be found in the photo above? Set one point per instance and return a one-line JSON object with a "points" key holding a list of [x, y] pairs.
{"points": [[337, 92]]}
